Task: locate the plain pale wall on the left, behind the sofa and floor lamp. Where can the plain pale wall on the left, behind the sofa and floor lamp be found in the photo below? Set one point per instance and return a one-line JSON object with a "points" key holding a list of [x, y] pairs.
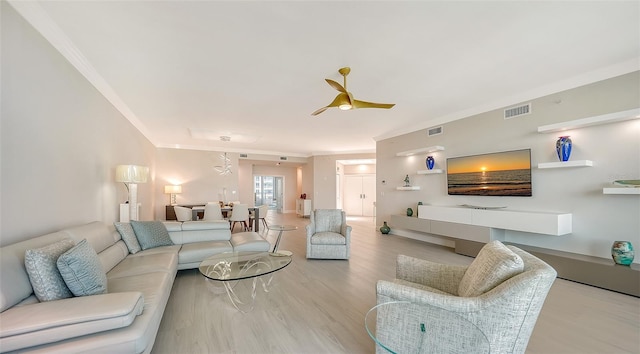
{"points": [[60, 141]]}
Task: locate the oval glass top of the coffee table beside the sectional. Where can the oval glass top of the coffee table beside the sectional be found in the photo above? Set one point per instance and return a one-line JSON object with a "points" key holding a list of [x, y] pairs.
{"points": [[242, 265]]}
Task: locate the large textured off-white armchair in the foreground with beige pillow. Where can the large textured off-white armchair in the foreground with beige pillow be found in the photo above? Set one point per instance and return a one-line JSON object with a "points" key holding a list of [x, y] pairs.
{"points": [[490, 306]]}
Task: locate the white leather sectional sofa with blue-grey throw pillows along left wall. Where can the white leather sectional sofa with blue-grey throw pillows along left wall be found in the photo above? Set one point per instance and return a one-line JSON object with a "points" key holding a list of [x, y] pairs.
{"points": [[122, 316]]}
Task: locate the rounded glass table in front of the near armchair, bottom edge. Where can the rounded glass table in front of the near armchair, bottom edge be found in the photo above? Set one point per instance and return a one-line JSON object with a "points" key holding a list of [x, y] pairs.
{"points": [[406, 327]]}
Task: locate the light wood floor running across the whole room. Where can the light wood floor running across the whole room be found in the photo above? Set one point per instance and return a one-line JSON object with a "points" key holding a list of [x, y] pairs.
{"points": [[318, 306]]}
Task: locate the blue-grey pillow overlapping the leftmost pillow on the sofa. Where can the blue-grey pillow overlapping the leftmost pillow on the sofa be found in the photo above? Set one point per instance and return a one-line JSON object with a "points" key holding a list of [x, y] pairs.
{"points": [[82, 271]]}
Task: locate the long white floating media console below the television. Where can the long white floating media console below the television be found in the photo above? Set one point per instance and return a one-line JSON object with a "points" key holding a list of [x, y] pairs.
{"points": [[547, 223]]}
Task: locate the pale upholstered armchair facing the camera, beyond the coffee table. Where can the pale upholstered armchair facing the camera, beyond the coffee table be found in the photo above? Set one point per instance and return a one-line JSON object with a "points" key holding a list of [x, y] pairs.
{"points": [[328, 235]]}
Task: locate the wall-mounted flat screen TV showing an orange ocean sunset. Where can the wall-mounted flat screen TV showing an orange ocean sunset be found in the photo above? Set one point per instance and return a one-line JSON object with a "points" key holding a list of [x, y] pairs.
{"points": [[506, 173]]}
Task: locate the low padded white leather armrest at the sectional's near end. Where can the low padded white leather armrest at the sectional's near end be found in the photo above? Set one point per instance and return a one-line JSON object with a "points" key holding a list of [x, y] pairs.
{"points": [[46, 322]]}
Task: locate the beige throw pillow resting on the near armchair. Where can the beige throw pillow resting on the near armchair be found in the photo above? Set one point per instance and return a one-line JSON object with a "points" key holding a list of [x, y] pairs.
{"points": [[494, 264]]}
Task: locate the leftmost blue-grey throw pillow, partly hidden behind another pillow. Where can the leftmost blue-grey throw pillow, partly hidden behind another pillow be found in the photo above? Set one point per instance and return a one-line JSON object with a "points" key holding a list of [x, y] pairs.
{"points": [[45, 278]]}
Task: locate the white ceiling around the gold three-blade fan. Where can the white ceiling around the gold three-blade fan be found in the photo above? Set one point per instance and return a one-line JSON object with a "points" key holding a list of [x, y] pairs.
{"points": [[255, 70]]}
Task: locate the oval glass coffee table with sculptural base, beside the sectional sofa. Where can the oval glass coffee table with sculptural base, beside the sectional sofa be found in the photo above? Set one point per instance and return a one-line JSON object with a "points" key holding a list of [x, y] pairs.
{"points": [[232, 267]]}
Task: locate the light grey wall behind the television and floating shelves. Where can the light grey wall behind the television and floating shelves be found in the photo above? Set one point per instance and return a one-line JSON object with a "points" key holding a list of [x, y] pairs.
{"points": [[598, 219]]}
